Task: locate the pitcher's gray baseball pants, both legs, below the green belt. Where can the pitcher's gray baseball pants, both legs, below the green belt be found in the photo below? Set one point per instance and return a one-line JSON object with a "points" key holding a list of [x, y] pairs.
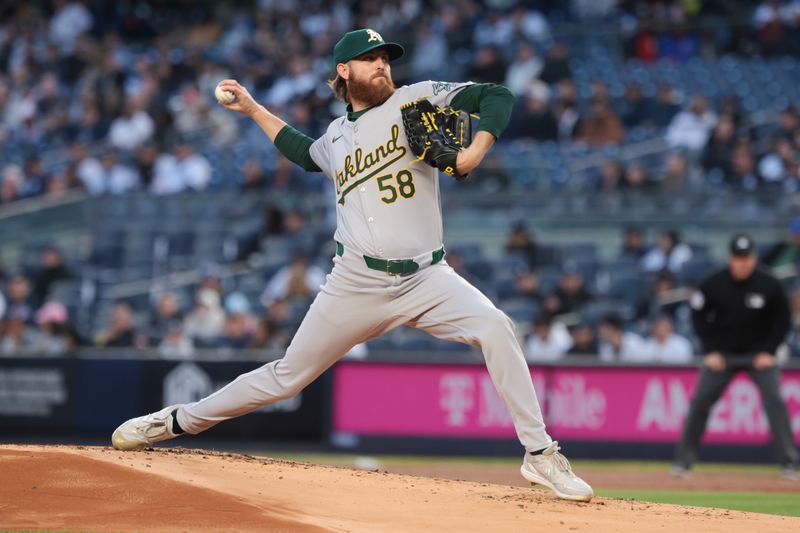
{"points": [[357, 304]]}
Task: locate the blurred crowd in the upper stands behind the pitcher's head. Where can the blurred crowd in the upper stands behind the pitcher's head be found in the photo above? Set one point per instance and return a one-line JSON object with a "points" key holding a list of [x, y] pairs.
{"points": [[113, 97]]}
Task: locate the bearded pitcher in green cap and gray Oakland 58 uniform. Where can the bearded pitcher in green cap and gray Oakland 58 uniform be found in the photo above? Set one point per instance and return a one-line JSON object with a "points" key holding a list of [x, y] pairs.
{"points": [[384, 157]]}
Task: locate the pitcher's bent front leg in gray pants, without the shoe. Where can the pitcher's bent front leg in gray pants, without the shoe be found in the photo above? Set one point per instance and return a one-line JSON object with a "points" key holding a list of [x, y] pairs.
{"points": [[455, 310]]}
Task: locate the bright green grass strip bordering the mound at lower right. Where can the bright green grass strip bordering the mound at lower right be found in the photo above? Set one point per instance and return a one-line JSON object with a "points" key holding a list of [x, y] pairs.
{"points": [[779, 503]]}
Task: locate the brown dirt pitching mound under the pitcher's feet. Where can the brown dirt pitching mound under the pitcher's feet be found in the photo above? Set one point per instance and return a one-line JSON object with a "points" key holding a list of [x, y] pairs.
{"points": [[100, 489]]}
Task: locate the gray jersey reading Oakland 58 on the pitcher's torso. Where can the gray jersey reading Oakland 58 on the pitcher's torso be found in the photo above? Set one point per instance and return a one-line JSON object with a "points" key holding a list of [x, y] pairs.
{"points": [[387, 201]]}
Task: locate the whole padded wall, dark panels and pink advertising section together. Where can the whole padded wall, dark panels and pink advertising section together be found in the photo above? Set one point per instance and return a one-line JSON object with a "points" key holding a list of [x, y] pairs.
{"points": [[389, 407]]}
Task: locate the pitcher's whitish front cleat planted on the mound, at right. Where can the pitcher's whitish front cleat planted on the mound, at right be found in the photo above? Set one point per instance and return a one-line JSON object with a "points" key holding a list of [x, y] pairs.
{"points": [[553, 470]]}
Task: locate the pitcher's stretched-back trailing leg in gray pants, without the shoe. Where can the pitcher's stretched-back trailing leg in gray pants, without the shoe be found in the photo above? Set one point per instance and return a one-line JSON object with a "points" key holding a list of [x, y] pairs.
{"points": [[332, 326]]}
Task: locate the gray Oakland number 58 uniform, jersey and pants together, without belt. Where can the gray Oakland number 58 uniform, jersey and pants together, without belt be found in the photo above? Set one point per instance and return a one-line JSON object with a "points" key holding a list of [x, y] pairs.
{"points": [[388, 207]]}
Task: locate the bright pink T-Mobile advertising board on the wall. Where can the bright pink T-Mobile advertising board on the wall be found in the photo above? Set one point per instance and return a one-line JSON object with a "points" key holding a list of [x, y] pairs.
{"points": [[580, 403]]}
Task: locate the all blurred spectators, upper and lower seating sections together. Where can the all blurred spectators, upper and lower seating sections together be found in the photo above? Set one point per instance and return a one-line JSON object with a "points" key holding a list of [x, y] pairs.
{"points": [[108, 98]]}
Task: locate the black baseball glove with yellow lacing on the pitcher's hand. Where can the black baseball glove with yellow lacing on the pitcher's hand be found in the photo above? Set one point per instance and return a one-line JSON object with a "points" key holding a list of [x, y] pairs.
{"points": [[436, 134]]}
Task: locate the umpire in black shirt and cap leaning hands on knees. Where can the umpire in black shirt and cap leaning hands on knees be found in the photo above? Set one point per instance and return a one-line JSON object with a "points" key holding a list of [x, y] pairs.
{"points": [[741, 316]]}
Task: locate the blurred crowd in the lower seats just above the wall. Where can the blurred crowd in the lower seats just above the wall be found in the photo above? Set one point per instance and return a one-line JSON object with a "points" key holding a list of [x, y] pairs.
{"points": [[566, 315]]}
